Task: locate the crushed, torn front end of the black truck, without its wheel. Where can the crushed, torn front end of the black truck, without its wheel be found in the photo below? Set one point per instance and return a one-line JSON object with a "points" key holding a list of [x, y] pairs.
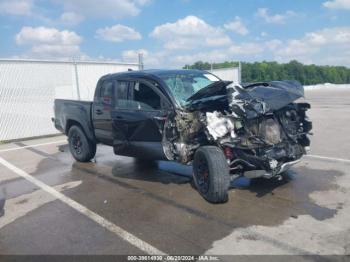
{"points": [[260, 128]]}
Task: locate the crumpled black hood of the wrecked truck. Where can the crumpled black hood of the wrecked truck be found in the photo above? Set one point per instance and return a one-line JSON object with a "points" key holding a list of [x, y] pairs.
{"points": [[249, 100]]}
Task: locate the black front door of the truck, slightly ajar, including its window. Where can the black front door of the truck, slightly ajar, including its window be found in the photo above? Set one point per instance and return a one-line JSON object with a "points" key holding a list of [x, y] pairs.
{"points": [[139, 120]]}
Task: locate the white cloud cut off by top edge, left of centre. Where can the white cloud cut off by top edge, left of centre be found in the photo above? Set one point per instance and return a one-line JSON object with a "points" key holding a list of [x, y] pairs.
{"points": [[106, 9]]}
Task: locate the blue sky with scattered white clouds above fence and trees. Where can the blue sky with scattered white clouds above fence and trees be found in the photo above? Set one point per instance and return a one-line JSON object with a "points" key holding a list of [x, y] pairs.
{"points": [[172, 33]]}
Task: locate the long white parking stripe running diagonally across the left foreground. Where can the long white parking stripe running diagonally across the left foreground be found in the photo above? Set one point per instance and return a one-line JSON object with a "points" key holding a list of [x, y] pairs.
{"points": [[133, 240]]}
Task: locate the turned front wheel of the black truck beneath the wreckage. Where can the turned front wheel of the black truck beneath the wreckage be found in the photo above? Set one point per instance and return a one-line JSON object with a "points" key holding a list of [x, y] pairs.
{"points": [[211, 174]]}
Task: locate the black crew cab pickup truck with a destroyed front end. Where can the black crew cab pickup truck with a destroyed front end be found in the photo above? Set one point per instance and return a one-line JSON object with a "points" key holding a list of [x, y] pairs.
{"points": [[192, 117]]}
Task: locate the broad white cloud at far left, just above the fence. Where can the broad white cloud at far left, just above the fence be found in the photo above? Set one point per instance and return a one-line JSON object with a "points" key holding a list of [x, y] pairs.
{"points": [[49, 42]]}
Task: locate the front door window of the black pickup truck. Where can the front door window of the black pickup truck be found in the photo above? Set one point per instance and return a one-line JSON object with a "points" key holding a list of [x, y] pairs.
{"points": [[145, 98]]}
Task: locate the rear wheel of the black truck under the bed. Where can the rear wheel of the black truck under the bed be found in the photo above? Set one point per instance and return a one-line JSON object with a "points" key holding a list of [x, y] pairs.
{"points": [[81, 148]]}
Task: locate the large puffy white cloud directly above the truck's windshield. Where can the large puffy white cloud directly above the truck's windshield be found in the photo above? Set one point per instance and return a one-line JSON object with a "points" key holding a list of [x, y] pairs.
{"points": [[189, 33]]}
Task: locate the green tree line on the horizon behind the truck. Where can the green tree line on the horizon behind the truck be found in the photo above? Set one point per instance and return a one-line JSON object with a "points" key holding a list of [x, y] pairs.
{"points": [[268, 71]]}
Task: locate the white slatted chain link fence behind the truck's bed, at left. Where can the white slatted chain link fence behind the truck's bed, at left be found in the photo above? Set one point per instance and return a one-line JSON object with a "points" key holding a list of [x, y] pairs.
{"points": [[28, 89]]}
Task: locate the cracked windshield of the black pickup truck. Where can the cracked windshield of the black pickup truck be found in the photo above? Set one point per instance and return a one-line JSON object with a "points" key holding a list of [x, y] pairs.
{"points": [[184, 84]]}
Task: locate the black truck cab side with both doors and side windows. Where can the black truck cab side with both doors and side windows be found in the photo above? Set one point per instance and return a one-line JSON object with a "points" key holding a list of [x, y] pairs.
{"points": [[129, 112]]}
